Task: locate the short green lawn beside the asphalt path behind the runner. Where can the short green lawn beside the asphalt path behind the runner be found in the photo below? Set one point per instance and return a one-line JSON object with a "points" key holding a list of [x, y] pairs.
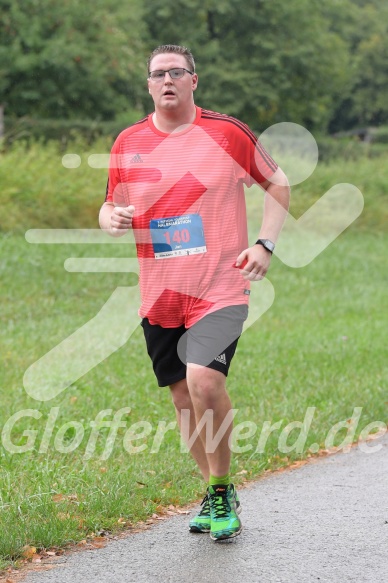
{"points": [[321, 344]]}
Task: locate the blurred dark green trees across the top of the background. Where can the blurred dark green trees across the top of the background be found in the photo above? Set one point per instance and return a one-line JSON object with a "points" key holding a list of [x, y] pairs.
{"points": [[320, 64]]}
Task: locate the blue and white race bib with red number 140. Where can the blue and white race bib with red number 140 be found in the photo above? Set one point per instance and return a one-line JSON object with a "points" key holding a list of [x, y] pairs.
{"points": [[177, 236]]}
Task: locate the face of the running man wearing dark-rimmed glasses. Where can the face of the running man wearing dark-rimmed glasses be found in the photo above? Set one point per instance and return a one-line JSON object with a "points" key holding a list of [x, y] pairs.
{"points": [[172, 94]]}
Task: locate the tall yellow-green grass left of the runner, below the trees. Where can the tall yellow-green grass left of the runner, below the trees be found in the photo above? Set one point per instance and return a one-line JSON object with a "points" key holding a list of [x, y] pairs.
{"points": [[39, 191]]}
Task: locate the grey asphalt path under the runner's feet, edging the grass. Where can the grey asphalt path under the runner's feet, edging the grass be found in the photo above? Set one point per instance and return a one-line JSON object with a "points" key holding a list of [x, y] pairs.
{"points": [[326, 521]]}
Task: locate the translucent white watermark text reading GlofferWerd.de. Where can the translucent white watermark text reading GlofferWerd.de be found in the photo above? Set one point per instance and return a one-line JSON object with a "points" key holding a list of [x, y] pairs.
{"points": [[103, 433]]}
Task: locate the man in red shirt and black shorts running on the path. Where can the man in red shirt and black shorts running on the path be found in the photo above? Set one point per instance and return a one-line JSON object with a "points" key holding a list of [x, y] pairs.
{"points": [[177, 179]]}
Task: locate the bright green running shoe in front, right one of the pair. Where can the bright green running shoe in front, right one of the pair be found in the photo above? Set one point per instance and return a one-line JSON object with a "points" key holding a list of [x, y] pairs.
{"points": [[224, 522]]}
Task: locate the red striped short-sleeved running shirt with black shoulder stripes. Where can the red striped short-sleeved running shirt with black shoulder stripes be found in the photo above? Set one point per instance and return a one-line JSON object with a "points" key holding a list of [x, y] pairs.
{"points": [[190, 215]]}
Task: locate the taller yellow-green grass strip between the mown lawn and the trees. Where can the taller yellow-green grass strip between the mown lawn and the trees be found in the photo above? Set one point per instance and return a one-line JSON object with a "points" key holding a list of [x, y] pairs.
{"points": [[46, 194]]}
